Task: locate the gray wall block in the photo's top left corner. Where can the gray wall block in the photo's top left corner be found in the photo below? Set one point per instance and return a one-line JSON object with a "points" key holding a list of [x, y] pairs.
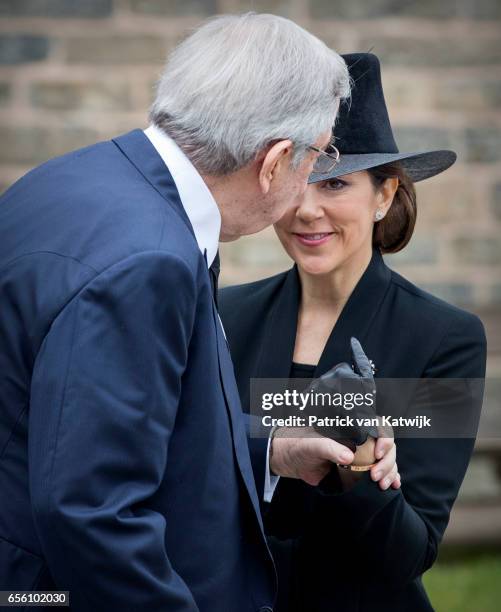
{"points": [[56, 8]]}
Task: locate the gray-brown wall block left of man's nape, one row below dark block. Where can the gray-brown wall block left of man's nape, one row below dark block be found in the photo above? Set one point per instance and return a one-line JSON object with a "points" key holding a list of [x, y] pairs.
{"points": [[95, 96]]}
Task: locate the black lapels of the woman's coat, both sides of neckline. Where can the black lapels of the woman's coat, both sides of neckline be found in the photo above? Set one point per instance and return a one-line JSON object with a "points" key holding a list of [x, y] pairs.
{"points": [[277, 349]]}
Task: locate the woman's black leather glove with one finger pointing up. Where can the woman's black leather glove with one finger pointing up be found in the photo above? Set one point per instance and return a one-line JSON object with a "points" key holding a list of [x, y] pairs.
{"points": [[344, 379]]}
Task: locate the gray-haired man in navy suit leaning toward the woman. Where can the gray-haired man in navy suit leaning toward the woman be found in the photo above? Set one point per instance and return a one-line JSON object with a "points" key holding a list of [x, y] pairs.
{"points": [[125, 472]]}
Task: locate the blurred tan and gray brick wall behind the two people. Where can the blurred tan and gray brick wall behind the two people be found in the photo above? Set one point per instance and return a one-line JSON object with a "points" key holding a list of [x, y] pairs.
{"points": [[75, 71]]}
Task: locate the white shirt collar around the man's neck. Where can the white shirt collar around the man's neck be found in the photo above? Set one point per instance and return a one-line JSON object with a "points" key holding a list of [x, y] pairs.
{"points": [[195, 196]]}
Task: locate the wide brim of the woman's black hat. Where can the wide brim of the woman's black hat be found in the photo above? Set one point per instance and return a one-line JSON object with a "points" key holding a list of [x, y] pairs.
{"points": [[419, 166]]}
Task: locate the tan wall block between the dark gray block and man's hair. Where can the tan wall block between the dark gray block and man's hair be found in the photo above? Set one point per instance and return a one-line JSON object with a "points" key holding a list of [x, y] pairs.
{"points": [[116, 49]]}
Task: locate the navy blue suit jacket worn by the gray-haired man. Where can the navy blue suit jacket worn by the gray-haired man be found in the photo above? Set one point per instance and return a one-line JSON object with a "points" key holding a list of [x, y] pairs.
{"points": [[125, 474]]}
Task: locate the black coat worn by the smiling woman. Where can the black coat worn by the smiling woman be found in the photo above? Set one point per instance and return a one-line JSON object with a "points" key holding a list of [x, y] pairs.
{"points": [[364, 549]]}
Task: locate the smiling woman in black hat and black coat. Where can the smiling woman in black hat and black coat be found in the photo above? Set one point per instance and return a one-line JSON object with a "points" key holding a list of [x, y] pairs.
{"points": [[348, 545]]}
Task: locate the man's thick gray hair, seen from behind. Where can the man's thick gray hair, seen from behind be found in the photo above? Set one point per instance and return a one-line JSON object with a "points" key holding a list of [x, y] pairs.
{"points": [[240, 82]]}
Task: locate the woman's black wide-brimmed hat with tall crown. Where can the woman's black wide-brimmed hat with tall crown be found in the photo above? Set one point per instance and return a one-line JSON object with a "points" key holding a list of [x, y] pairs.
{"points": [[363, 131]]}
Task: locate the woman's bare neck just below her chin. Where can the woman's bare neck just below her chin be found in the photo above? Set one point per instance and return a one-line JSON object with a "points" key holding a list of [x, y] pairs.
{"points": [[331, 291]]}
